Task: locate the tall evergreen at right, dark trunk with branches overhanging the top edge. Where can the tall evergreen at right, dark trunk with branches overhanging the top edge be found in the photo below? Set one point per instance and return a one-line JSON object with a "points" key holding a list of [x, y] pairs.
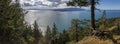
{"points": [[81, 3]]}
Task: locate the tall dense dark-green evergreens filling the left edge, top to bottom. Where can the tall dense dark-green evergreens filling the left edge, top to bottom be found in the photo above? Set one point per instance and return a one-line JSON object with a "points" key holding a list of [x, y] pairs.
{"points": [[11, 23]]}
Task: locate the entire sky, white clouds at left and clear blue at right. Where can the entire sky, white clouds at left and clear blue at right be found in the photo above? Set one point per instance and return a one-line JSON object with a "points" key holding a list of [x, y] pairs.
{"points": [[104, 4]]}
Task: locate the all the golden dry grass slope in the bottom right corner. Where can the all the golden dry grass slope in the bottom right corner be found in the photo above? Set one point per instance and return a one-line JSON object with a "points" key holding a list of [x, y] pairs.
{"points": [[111, 39]]}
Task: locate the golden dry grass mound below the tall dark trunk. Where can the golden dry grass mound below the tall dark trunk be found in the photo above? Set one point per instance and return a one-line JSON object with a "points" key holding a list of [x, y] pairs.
{"points": [[94, 40]]}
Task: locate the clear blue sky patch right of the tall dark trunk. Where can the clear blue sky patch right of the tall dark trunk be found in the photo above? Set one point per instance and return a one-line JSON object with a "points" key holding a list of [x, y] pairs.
{"points": [[109, 4]]}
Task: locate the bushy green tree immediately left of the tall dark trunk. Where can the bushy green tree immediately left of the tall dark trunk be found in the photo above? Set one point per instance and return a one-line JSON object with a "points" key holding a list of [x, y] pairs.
{"points": [[79, 29]]}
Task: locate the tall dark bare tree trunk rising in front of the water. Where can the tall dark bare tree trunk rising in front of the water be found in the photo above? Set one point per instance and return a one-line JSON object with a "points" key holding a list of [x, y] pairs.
{"points": [[92, 14]]}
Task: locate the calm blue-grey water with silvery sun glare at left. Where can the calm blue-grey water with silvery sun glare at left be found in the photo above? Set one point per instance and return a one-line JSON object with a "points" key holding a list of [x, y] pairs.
{"points": [[63, 19]]}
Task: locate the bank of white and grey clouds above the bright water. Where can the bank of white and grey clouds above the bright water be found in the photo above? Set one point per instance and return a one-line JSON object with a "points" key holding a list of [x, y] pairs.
{"points": [[44, 3]]}
